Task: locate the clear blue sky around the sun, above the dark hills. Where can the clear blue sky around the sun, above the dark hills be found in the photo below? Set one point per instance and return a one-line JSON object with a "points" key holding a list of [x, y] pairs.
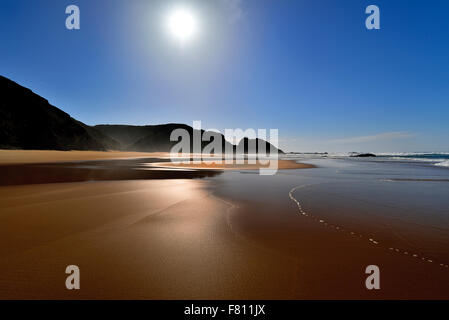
{"points": [[308, 68]]}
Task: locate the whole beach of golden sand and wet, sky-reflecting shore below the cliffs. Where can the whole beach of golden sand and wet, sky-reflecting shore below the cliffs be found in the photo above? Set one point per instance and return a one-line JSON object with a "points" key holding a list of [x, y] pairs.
{"points": [[143, 231]]}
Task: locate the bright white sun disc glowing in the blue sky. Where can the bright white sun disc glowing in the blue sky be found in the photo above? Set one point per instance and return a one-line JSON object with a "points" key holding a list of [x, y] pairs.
{"points": [[182, 24]]}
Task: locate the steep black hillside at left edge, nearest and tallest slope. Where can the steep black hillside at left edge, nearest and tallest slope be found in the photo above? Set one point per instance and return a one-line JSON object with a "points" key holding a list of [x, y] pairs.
{"points": [[28, 121]]}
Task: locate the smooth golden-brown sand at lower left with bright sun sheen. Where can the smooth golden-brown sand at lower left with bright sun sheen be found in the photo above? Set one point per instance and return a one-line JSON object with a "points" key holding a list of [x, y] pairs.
{"points": [[158, 239]]}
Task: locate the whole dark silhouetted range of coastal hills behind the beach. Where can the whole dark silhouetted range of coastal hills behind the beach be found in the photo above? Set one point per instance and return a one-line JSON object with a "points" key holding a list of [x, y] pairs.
{"points": [[28, 121]]}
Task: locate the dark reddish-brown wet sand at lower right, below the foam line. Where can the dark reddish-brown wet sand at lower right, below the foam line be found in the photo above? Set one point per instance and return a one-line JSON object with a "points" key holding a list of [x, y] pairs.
{"points": [[330, 264]]}
